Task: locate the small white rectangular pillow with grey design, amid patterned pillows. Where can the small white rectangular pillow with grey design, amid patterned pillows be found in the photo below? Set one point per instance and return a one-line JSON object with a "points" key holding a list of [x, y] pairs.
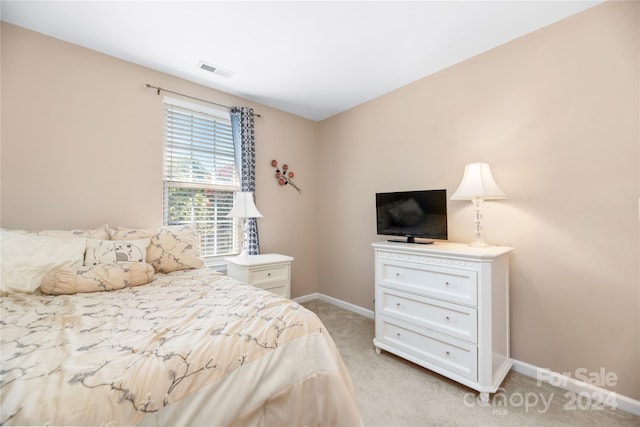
{"points": [[110, 251]]}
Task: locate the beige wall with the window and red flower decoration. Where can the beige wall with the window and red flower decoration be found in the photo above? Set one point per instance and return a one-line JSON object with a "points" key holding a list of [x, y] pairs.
{"points": [[82, 146]]}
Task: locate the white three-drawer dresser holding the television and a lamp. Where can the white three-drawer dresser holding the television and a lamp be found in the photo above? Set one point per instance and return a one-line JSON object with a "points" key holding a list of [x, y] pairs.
{"points": [[445, 306]]}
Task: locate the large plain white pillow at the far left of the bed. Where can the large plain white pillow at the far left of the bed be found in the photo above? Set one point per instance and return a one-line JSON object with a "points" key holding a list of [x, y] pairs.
{"points": [[26, 258]]}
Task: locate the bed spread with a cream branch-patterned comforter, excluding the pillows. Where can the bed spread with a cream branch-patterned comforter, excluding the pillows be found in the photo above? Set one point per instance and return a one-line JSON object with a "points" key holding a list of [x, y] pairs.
{"points": [[191, 347]]}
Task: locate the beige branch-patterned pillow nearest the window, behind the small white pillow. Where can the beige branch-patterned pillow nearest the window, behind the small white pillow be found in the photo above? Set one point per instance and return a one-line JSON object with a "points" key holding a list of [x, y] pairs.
{"points": [[172, 248]]}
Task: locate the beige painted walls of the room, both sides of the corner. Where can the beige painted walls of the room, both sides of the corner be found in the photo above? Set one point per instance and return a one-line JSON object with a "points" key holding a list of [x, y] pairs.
{"points": [[555, 113]]}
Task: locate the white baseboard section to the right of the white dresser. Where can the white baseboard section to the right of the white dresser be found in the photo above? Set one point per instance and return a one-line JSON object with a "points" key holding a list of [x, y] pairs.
{"points": [[593, 394]]}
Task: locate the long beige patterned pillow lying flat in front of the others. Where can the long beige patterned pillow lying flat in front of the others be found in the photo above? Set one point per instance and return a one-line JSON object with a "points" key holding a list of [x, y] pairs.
{"points": [[101, 277]]}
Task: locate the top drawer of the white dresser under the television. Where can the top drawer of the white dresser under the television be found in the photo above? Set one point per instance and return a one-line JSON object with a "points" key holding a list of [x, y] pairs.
{"points": [[456, 285]]}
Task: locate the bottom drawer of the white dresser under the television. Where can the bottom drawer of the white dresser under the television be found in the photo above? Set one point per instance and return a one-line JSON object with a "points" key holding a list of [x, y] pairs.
{"points": [[457, 357]]}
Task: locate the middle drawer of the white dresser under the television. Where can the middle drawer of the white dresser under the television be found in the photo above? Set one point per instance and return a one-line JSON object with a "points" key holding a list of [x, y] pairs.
{"points": [[458, 321]]}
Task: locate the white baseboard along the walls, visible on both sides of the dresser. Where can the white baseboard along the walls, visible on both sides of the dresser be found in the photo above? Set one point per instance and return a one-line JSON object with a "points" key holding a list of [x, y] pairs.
{"points": [[602, 395]]}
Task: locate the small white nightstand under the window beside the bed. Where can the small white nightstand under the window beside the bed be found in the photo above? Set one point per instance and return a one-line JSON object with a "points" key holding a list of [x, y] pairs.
{"points": [[271, 272]]}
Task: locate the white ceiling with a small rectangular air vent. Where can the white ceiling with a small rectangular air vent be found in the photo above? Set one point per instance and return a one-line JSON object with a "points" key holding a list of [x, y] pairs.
{"points": [[313, 59]]}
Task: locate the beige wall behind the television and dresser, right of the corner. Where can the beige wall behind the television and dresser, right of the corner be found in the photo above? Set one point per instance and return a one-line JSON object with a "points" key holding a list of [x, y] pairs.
{"points": [[556, 115]]}
